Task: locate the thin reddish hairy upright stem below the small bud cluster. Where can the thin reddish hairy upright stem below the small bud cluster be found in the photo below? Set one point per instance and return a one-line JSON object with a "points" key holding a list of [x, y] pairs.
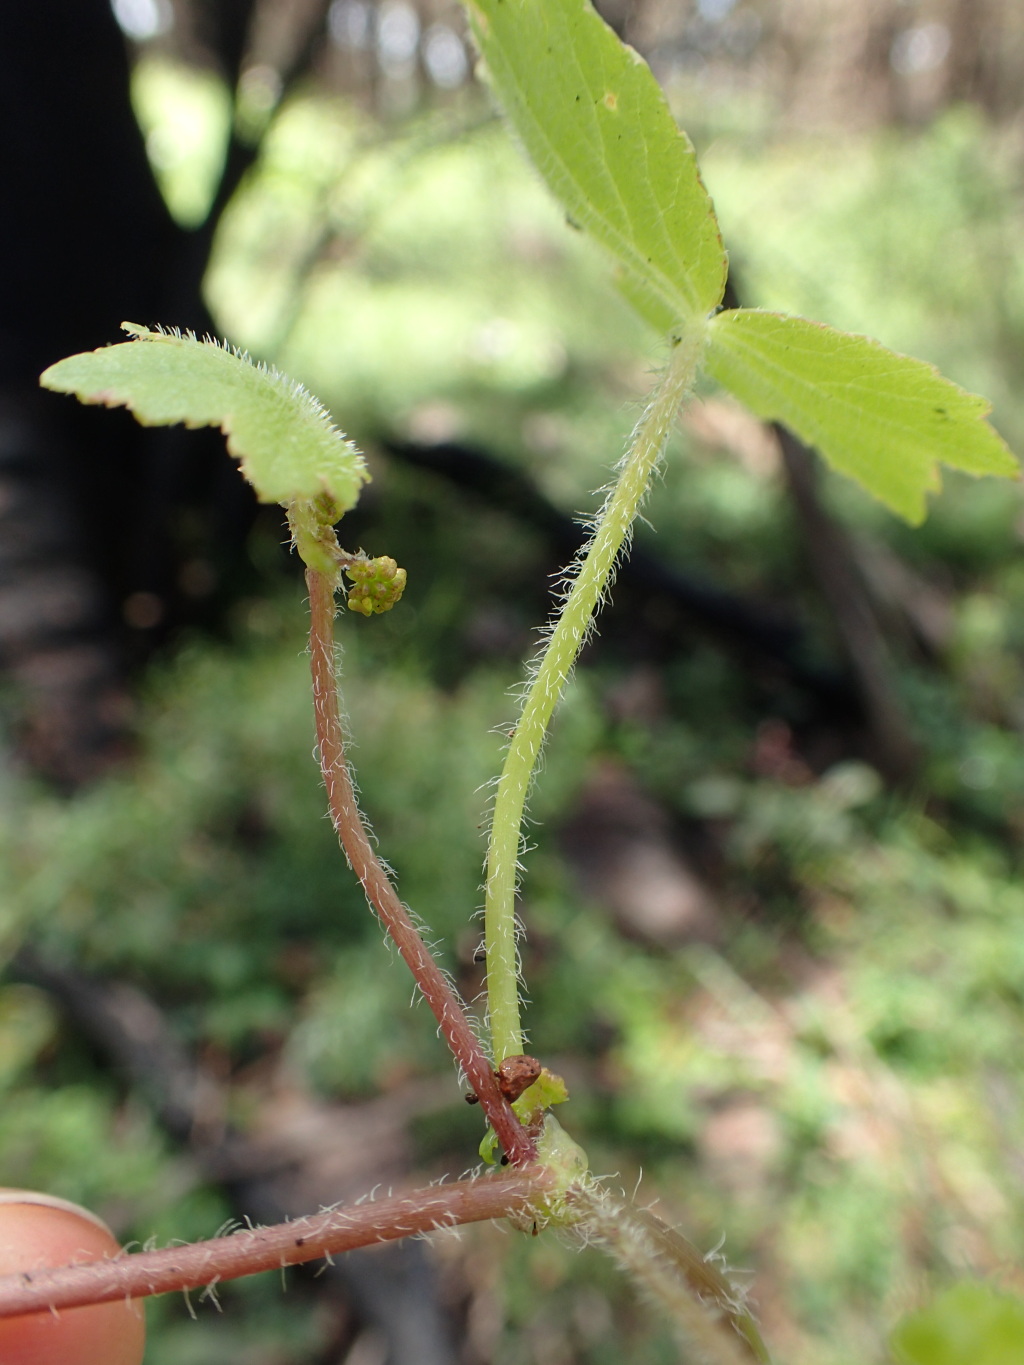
{"points": [[382, 895]]}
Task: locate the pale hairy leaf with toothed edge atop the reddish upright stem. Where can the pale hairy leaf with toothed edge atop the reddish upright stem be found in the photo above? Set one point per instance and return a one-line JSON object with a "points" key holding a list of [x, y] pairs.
{"points": [[287, 446]]}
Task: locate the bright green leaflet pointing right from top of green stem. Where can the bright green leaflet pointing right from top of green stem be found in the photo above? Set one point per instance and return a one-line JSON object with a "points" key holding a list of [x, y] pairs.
{"points": [[881, 418]]}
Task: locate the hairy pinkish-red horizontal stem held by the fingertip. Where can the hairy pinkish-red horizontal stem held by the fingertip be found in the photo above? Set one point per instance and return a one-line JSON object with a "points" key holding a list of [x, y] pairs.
{"points": [[251, 1251]]}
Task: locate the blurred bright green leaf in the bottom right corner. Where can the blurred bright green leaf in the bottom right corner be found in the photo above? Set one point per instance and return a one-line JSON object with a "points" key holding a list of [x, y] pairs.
{"points": [[970, 1325]]}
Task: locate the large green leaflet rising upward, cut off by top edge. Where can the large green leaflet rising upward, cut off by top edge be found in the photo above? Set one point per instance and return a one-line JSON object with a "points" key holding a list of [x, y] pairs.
{"points": [[597, 126]]}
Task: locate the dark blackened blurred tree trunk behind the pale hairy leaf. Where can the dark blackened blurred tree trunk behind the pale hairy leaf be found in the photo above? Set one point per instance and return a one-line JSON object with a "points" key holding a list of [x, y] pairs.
{"points": [[87, 555]]}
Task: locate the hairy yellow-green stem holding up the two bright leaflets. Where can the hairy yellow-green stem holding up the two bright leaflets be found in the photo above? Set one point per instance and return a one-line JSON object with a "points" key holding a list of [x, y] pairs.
{"points": [[551, 675]]}
